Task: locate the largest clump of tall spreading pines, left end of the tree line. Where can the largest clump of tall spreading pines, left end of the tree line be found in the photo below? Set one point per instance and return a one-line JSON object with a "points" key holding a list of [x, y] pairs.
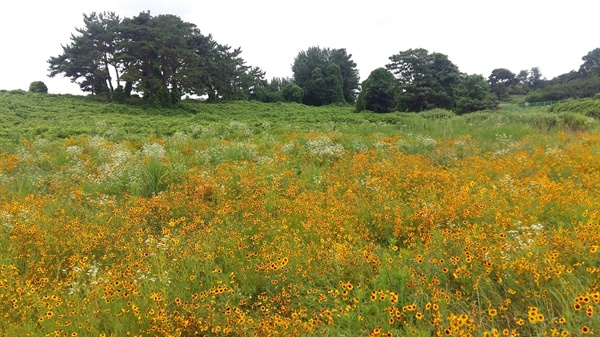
{"points": [[160, 57]]}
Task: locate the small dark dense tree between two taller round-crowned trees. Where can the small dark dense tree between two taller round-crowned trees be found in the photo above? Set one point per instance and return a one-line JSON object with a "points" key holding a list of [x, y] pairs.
{"points": [[378, 92]]}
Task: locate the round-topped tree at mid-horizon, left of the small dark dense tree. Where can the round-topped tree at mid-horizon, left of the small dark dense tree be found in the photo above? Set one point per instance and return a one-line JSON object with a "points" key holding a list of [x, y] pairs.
{"points": [[317, 69]]}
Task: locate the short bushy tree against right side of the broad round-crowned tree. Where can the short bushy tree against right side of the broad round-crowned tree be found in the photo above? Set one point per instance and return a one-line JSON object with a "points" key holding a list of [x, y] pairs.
{"points": [[473, 94]]}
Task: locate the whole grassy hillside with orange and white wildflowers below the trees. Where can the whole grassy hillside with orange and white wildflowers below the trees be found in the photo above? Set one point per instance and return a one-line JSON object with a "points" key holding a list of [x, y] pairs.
{"points": [[250, 219]]}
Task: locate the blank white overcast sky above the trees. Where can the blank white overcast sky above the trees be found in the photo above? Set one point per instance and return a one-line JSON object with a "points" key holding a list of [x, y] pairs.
{"points": [[477, 35]]}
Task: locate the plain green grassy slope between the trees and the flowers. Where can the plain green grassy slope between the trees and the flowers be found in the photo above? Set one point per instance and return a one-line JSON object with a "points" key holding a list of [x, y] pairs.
{"points": [[33, 116]]}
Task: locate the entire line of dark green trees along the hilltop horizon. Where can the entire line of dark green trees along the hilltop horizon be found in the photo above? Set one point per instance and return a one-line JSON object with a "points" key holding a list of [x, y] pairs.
{"points": [[163, 58]]}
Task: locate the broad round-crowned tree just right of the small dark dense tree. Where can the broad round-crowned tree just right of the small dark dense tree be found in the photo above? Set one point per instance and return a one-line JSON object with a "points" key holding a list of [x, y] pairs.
{"points": [[425, 81]]}
